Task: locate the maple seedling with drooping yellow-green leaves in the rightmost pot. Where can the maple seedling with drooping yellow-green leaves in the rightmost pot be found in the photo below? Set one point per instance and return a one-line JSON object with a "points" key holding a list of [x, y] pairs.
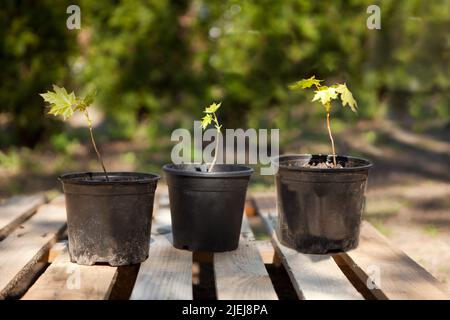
{"points": [[325, 95]]}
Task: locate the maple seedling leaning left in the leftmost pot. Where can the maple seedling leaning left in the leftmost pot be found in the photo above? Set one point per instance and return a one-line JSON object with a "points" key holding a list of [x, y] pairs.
{"points": [[62, 103]]}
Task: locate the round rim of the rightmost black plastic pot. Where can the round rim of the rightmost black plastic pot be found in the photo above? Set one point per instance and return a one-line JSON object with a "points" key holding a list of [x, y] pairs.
{"points": [[276, 161]]}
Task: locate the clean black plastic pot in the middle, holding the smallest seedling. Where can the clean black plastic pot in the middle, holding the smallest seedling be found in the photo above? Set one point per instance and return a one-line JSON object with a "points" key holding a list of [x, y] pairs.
{"points": [[207, 208]]}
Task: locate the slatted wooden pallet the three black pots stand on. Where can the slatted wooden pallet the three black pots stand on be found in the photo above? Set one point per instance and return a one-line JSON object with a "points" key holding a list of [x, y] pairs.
{"points": [[34, 263]]}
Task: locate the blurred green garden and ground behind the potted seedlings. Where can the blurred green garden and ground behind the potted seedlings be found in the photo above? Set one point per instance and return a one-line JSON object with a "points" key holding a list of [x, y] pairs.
{"points": [[157, 64]]}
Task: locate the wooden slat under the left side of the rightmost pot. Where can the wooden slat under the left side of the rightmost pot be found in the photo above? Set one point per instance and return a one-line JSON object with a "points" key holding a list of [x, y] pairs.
{"points": [[315, 277]]}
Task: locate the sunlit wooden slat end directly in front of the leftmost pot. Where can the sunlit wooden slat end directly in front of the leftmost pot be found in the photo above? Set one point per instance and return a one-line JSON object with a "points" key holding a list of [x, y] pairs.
{"points": [[64, 280]]}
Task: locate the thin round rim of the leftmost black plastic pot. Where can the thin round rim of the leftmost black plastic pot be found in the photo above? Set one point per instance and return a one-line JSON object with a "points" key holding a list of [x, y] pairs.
{"points": [[73, 178]]}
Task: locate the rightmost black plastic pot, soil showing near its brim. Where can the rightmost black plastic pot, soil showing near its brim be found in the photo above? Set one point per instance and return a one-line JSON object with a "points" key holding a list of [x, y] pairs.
{"points": [[320, 210]]}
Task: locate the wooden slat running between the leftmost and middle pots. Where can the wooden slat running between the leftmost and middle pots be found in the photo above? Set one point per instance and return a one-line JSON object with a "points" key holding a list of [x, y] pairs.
{"points": [[167, 273]]}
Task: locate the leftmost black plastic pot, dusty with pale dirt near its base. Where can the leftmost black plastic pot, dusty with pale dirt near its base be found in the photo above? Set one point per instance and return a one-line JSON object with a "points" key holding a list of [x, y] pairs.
{"points": [[109, 221]]}
